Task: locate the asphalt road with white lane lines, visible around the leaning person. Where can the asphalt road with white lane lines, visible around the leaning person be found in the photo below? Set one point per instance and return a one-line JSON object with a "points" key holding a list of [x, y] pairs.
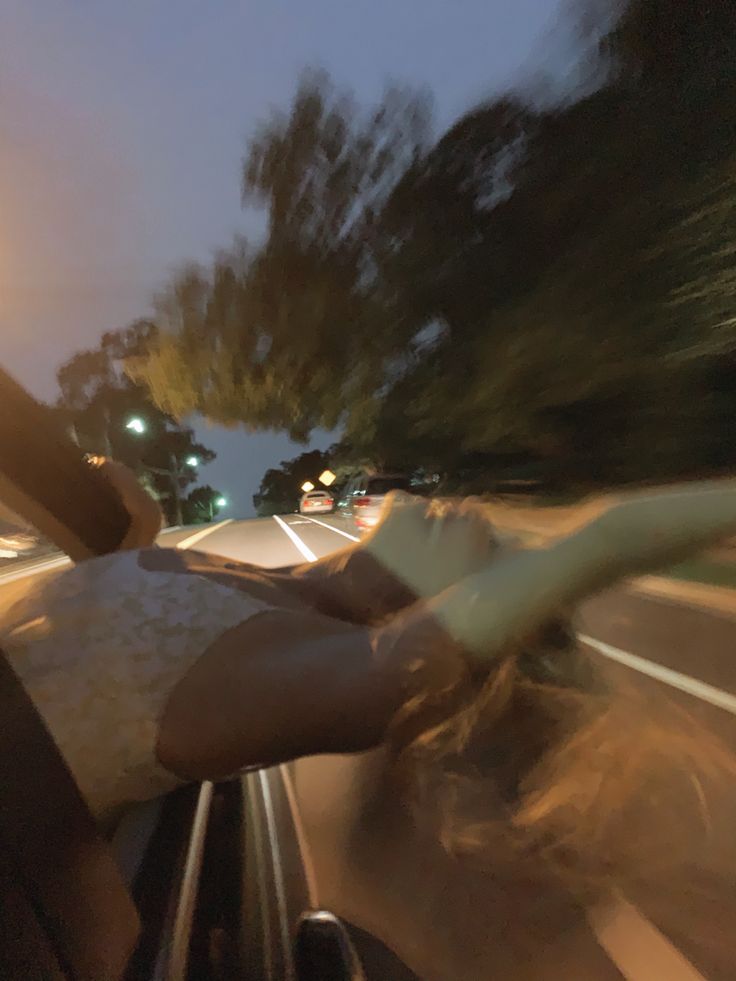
{"points": [[451, 921]]}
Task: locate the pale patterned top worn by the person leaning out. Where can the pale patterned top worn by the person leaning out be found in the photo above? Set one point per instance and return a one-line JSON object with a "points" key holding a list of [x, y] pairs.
{"points": [[100, 647]]}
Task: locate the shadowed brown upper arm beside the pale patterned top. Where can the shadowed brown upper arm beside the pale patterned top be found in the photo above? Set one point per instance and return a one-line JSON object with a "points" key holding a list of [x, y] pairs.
{"points": [[286, 684]]}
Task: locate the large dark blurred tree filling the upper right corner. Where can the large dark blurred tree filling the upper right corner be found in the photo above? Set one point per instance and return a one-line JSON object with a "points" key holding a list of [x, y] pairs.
{"points": [[587, 283]]}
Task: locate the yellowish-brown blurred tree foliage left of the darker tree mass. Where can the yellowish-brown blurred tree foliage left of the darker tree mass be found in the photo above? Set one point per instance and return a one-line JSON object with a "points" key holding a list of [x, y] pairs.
{"points": [[296, 334]]}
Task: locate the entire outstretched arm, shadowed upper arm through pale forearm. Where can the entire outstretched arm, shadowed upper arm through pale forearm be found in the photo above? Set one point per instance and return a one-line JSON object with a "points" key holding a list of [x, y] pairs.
{"points": [[288, 684]]}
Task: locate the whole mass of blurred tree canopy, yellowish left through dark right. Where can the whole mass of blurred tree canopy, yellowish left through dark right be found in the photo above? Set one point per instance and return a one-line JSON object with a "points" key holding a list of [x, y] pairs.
{"points": [[546, 283]]}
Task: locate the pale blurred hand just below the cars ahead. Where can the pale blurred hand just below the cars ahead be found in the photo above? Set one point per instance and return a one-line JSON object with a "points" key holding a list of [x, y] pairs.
{"points": [[429, 544]]}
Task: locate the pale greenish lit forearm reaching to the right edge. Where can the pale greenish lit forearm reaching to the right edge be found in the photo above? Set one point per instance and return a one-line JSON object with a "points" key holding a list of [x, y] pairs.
{"points": [[643, 533]]}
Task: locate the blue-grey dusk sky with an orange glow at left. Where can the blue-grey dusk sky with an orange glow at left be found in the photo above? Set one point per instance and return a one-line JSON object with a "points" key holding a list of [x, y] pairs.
{"points": [[124, 125]]}
